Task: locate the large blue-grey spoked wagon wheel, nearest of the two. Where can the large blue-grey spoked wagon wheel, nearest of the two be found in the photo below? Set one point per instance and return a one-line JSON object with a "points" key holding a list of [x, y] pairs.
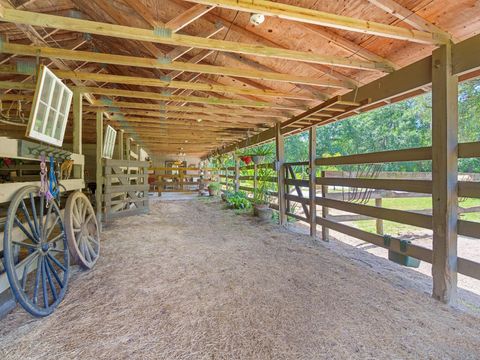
{"points": [[35, 252]]}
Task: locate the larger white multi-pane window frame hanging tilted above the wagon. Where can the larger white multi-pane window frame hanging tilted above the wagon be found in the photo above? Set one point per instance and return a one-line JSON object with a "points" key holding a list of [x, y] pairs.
{"points": [[63, 104]]}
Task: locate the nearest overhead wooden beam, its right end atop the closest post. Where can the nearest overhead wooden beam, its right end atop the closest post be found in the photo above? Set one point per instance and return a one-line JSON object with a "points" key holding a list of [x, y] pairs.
{"points": [[315, 17]]}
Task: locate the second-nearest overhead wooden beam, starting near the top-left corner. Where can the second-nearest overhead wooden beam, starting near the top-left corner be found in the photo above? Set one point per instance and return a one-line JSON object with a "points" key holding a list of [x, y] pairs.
{"points": [[166, 36]]}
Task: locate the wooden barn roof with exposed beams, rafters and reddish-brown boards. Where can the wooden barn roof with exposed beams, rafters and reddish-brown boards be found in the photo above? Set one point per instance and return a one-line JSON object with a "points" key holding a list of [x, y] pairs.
{"points": [[195, 76]]}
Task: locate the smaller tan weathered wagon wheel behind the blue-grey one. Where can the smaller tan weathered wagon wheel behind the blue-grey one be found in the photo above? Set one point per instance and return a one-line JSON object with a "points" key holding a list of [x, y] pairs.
{"points": [[82, 230]]}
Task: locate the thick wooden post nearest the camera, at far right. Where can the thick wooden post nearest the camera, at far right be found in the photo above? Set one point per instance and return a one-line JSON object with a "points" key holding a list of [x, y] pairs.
{"points": [[444, 174]]}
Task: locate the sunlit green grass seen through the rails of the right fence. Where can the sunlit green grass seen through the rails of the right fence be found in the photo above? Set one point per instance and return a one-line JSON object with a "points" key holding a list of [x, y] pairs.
{"points": [[393, 228]]}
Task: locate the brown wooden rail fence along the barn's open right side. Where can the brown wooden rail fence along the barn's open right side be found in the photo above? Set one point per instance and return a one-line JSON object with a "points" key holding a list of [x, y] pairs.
{"points": [[351, 192]]}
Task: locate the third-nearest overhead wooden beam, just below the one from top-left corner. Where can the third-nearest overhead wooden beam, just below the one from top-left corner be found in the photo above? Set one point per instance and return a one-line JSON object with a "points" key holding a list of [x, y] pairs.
{"points": [[135, 61]]}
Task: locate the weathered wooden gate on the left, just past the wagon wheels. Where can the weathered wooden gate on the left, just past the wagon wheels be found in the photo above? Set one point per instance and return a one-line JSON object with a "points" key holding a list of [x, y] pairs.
{"points": [[126, 188]]}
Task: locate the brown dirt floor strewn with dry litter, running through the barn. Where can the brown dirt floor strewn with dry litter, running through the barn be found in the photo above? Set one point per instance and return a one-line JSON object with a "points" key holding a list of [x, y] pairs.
{"points": [[194, 281]]}
